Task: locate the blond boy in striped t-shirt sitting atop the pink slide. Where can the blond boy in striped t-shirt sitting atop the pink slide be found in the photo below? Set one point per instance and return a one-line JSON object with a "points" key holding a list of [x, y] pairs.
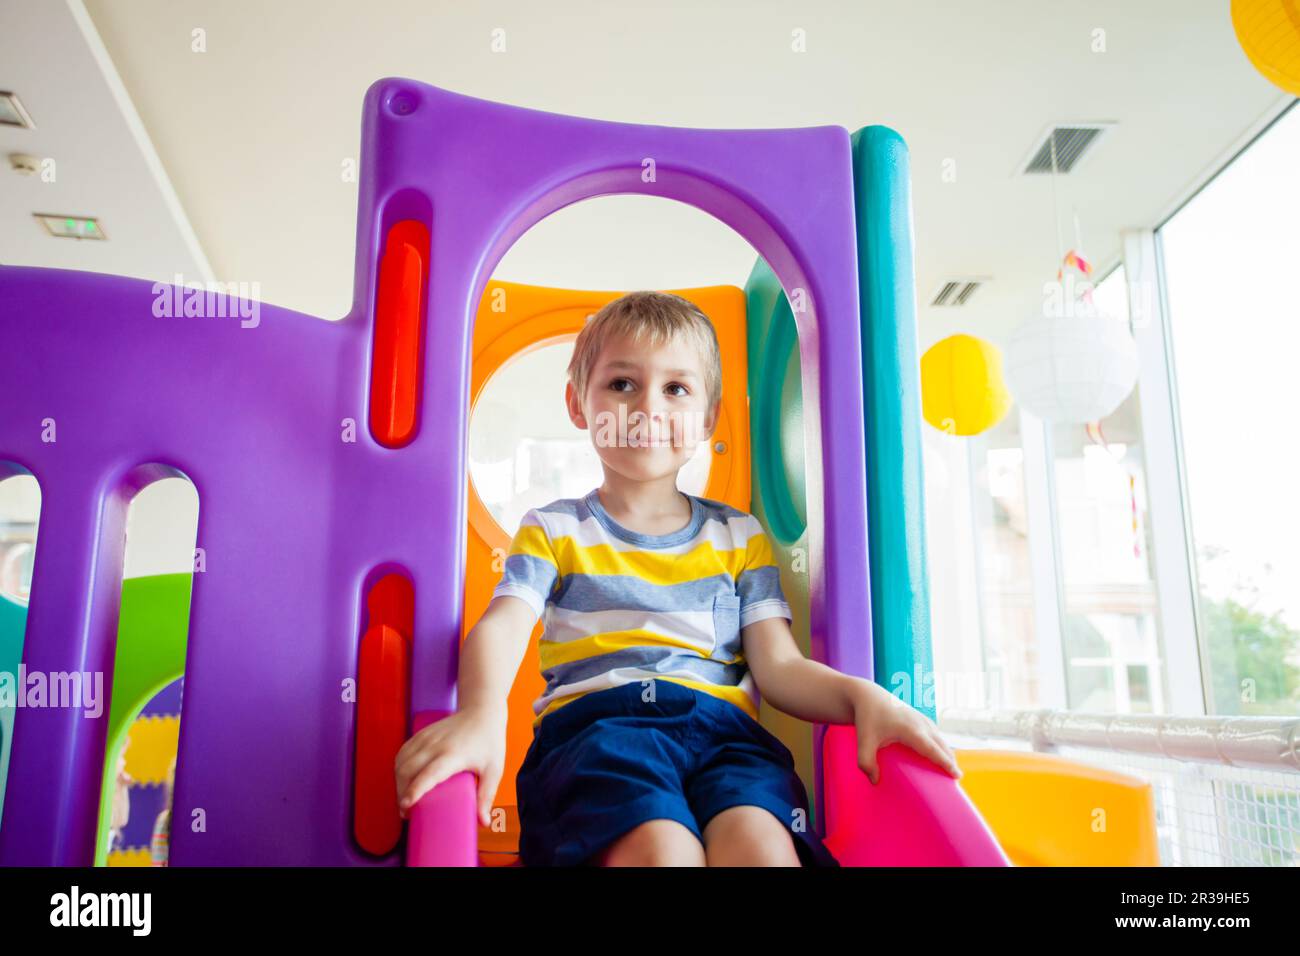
{"points": [[664, 621]]}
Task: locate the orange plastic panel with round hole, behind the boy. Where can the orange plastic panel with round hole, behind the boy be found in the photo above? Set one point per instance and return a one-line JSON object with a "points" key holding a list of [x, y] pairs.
{"points": [[515, 319]]}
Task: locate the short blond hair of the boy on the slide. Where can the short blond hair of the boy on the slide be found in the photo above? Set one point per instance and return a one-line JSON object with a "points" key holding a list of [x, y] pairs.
{"points": [[651, 319]]}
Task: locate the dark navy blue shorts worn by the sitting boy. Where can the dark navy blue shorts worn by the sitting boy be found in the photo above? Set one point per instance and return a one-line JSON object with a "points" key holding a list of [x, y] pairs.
{"points": [[612, 762]]}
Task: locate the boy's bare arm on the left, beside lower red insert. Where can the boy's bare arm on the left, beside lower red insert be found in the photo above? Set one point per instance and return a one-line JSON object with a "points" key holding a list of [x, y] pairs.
{"points": [[474, 738]]}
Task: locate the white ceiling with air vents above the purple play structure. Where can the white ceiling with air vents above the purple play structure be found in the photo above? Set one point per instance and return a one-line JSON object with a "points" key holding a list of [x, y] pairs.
{"points": [[254, 132]]}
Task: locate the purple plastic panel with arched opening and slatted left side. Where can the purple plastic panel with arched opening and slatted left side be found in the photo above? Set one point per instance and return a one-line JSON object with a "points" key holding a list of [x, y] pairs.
{"points": [[296, 522]]}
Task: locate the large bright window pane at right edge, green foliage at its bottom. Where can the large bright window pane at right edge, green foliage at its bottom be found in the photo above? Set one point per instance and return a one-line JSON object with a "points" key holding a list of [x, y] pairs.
{"points": [[1234, 325]]}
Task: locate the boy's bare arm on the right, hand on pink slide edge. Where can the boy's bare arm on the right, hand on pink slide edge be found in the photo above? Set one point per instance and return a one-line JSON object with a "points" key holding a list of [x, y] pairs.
{"points": [[814, 693]]}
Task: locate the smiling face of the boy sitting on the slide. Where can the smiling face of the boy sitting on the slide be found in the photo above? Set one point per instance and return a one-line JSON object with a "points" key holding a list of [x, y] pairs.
{"points": [[647, 409]]}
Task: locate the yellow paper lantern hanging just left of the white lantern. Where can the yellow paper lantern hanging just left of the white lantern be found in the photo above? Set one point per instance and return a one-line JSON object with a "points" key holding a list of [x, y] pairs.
{"points": [[963, 391]]}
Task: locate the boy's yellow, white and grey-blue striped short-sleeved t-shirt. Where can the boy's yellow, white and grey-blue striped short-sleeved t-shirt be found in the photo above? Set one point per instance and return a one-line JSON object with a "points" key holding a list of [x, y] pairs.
{"points": [[621, 608]]}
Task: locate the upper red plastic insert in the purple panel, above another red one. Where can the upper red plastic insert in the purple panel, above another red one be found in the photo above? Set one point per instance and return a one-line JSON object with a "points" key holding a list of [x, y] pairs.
{"points": [[396, 362]]}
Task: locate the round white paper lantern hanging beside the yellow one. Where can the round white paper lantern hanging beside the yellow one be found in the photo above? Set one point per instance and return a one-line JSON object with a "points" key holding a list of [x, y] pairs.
{"points": [[1073, 369]]}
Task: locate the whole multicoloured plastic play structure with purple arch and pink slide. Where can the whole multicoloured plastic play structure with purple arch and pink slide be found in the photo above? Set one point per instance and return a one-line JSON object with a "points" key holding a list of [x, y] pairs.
{"points": [[344, 542]]}
